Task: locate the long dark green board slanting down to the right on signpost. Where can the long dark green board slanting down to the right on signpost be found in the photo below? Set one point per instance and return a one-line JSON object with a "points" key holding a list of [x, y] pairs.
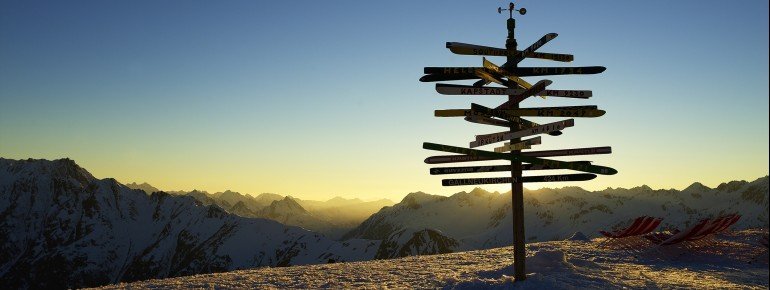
{"points": [[518, 157]]}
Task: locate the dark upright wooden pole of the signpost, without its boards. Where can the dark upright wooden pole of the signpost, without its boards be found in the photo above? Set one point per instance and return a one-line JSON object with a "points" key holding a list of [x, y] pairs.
{"points": [[517, 188]]}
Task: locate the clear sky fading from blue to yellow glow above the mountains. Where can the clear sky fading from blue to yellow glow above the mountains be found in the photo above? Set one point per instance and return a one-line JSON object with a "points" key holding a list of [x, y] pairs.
{"points": [[317, 99]]}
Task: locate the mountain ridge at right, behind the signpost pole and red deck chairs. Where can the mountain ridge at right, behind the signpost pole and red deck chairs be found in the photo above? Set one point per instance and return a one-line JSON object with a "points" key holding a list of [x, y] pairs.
{"points": [[479, 219]]}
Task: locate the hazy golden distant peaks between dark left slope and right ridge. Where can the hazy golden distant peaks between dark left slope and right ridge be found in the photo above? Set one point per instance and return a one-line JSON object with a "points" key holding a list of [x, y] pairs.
{"points": [[333, 217]]}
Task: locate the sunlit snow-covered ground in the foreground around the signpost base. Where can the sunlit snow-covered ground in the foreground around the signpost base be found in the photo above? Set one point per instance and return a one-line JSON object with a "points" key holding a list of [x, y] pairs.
{"points": [[735, 260]]}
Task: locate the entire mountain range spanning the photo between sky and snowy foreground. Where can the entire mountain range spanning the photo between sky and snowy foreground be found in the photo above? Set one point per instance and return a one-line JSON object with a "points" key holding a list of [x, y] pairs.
{"points": [[62, 228]]}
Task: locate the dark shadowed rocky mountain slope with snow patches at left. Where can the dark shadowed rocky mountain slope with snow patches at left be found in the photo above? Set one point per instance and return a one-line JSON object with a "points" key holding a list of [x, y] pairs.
{"points": [[62, 227]]}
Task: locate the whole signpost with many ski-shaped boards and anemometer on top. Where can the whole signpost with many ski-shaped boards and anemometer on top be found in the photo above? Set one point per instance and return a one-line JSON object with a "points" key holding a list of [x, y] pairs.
{"points": [[511, 115]]}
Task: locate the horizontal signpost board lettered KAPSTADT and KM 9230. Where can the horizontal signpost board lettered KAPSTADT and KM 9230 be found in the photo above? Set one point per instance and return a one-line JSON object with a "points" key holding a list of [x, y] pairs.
{"points": [[450, 89]]}
